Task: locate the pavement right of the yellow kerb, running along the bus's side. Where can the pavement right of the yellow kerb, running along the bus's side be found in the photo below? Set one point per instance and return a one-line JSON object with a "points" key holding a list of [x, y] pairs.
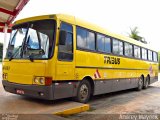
{"points": [[114, 105]]}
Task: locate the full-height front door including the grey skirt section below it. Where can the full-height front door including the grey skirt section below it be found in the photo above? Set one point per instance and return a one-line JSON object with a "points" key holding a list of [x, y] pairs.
{"points": [[65, 63]]}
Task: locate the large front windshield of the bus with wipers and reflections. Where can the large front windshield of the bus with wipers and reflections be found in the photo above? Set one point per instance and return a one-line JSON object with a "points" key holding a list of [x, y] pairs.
{"points": [[32, 40]]}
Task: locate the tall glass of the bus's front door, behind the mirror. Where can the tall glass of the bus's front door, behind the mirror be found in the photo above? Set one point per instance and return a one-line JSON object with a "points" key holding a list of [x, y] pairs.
{"points": [[65, 52]]}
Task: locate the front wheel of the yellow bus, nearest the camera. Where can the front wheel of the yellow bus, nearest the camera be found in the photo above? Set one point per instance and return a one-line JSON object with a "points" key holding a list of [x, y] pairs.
{"points": [[83, 92]]}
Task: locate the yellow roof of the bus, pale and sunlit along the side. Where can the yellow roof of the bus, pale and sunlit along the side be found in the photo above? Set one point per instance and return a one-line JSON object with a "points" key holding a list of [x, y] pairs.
{"points": [[76, 21]]}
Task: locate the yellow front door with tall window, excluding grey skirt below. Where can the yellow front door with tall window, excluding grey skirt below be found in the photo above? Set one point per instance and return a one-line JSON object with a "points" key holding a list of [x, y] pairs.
{"points": [[65, 62]]}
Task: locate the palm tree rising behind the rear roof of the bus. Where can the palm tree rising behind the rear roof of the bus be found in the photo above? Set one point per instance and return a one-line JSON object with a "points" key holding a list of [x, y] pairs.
{"points": [[134, 33]]}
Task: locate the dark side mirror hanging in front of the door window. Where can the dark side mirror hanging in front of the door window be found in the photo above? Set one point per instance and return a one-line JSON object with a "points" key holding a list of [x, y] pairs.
{"points": [[62, 37]]}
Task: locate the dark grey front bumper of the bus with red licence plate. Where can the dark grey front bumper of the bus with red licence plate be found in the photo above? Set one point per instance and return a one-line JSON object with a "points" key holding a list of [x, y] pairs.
{"points": [[41, 92]]}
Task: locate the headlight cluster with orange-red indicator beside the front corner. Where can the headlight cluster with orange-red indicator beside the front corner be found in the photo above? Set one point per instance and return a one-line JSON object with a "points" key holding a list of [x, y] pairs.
{"points": [[42, 80]]}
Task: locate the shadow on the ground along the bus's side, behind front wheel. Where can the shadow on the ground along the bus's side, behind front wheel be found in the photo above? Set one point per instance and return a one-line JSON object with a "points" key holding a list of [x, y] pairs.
{"points": [[121, 97]]}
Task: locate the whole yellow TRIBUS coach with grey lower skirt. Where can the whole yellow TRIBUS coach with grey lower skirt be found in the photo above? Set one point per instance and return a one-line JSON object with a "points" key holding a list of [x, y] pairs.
{"points": [[59, 56]]}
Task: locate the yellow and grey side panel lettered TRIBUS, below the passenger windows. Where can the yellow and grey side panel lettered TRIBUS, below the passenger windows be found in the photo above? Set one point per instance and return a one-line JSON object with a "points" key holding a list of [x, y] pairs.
{"points": [[110, 76]]}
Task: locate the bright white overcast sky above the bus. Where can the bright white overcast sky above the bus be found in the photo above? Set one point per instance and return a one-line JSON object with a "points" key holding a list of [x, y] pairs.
{"points": [[117, 16]]}
